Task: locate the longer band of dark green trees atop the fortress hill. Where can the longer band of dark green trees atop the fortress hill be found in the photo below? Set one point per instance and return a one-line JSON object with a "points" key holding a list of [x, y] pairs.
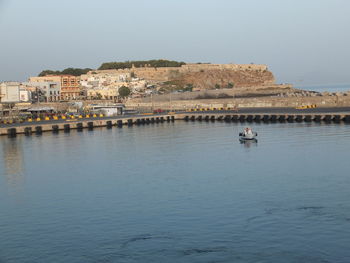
{"points": [[141, 63]]}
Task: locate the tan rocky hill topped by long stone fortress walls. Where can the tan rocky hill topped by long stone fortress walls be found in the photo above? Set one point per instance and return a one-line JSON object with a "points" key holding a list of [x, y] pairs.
{"points": [[202, 76]]}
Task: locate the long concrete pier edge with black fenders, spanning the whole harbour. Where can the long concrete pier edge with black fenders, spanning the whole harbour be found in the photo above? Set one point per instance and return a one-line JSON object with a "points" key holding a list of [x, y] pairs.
{"points": [[28, 128]]}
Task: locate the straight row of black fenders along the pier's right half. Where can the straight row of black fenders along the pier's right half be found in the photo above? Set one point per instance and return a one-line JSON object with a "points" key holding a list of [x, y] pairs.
{"points": [[270, 118]]}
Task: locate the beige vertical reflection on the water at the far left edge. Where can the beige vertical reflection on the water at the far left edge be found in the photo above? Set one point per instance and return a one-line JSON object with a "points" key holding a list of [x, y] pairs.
{"points": [[12, 160]]}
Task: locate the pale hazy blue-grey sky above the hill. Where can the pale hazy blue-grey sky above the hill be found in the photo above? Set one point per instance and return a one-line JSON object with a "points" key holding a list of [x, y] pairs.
{"points": [[303, 42]]}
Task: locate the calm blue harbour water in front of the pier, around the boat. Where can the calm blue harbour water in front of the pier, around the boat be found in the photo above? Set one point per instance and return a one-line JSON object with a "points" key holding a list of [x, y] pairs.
{"points": [[181, 192]]}
